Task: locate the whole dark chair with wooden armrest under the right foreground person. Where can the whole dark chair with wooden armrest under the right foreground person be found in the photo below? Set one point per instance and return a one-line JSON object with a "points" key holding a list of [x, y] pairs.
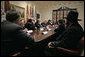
{"points": [[60, 51]]}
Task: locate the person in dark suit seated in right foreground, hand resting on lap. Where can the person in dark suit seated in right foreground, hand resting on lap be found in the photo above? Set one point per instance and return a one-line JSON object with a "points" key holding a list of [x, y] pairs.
{"points": [[70, 37]]}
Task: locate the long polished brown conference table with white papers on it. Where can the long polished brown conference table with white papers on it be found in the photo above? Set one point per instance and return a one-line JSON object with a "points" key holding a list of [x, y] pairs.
{"points": [[39, 35]]}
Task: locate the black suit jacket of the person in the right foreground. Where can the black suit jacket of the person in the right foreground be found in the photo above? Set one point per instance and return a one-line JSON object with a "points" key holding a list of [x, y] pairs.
{"points": [[70, 37]]}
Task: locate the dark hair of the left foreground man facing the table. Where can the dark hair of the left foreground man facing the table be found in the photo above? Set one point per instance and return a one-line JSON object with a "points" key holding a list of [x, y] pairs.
{"points": [[12, 15]]}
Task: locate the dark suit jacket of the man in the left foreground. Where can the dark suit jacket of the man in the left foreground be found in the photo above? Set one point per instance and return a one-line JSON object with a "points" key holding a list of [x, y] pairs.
{"points": [[13, 38]]}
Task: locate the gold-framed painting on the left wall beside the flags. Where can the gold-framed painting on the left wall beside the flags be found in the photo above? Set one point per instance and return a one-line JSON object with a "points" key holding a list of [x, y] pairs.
{"points": [[19, 9]]}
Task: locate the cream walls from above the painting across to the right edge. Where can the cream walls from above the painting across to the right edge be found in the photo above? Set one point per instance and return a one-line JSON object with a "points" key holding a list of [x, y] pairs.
{"points": [[45, 8]]}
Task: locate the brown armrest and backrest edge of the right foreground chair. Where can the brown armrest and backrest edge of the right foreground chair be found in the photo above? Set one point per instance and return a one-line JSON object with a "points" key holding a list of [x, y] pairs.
{"points": [[77, 52]]}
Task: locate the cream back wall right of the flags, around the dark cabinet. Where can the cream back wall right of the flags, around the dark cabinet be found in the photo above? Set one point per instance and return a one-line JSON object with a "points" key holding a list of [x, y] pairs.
{"points": [[46, 10]]}
